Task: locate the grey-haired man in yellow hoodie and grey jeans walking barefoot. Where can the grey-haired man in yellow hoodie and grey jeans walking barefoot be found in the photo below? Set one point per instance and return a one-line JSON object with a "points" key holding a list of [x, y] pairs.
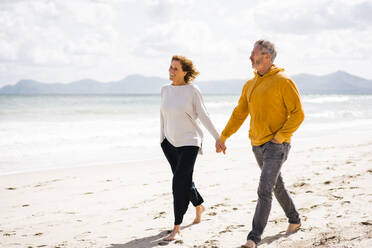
{"points": [[273, 101]]}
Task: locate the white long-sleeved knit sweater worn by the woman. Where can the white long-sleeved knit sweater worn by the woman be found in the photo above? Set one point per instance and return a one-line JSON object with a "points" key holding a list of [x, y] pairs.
{"points": [[181, 110]]}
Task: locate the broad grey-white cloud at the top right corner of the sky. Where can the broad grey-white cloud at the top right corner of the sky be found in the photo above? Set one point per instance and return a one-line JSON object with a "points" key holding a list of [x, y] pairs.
{"points": [[302, 18]]}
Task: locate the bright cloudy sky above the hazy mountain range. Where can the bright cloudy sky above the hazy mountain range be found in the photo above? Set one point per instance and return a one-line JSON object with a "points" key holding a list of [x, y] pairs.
{"points": [[107, 40]]}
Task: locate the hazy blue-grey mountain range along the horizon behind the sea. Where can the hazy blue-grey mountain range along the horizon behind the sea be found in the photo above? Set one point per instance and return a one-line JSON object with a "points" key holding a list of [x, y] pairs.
{"points": [[335, 83]]}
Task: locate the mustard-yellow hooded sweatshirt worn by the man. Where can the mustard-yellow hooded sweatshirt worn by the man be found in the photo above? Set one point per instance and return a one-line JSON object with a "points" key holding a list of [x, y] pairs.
{"points": [[275, 107]]}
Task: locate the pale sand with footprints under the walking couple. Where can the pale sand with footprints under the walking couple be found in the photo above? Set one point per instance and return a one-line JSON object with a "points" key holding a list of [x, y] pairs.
{"points": [[130, 205]]}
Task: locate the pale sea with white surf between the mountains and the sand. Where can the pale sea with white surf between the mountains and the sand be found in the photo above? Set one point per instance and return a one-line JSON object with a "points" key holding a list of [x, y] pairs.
{"points": [[52, 131]]}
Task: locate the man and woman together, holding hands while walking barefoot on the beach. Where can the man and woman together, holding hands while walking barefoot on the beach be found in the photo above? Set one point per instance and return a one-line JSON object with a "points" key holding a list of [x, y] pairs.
{"points": [[273, 102]]}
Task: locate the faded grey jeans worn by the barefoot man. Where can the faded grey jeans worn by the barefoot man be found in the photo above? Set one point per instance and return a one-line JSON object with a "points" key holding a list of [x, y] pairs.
{"points": [[270, 157]]}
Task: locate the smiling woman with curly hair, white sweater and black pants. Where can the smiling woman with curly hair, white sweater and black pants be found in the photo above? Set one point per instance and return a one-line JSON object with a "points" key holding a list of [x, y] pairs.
{"points": [[181, 137]]}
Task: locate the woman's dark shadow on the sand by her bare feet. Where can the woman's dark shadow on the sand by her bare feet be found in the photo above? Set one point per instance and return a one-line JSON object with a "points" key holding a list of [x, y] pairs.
{"points": [[147, 242]]}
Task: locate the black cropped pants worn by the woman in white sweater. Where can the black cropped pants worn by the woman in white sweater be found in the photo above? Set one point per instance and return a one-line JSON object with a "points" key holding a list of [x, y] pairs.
{"points": [[182, 160]]}
